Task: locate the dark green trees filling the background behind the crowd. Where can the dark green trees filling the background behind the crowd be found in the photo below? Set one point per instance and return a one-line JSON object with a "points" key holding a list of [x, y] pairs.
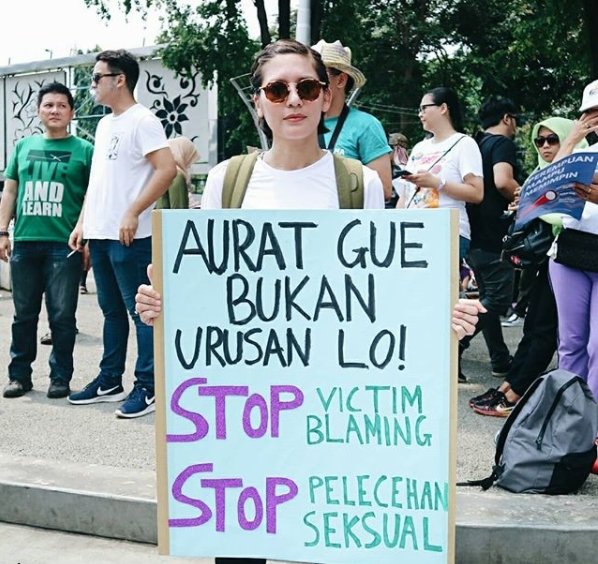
{"points": [[538, 52]]}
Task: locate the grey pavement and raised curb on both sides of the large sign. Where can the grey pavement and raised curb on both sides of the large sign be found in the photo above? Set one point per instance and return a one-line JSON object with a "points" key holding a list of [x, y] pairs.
{"points": [[104, 467]]}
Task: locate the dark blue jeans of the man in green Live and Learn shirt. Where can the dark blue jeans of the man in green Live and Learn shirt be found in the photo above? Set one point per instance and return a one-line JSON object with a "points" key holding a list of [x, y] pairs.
{"points": [[37, 267]]}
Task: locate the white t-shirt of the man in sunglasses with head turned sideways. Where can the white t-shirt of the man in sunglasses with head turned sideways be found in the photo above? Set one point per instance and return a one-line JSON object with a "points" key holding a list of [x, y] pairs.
{"points": [[120, 171]]}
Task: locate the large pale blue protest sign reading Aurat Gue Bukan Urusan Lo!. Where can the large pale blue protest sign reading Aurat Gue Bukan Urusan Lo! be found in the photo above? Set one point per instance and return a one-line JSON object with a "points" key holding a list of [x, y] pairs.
{"points": [[306, 384]]}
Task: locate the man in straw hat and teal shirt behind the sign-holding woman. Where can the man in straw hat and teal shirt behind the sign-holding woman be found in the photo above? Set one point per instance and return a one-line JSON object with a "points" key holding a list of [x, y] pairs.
{"points": [[351, 132]]}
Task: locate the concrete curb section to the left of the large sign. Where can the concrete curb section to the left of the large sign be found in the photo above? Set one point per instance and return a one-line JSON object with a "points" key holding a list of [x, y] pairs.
{"points": [[103, 501]]}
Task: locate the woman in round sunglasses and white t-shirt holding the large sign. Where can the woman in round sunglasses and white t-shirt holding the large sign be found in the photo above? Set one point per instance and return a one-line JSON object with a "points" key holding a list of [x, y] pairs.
{"points": [[291, 94]]}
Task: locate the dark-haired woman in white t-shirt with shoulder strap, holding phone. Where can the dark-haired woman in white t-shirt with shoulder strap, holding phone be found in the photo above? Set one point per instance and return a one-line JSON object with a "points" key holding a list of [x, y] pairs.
{"points": [[446, 167]]}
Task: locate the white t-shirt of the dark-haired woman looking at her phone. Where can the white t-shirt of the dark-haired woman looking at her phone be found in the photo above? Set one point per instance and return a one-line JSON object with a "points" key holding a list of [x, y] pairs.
{"points": [[464, 158]]}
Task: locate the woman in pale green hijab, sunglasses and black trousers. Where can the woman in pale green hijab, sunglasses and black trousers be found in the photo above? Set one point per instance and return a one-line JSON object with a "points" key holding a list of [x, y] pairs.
{"points": [[538, 343]]}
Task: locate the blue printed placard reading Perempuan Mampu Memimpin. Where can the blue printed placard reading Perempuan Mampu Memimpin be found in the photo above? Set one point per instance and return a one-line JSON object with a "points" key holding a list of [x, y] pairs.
{"points": [[550, 189]]}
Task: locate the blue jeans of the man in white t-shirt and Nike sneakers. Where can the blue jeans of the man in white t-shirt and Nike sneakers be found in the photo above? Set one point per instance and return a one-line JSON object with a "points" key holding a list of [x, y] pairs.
{"points": [[118, 272]]}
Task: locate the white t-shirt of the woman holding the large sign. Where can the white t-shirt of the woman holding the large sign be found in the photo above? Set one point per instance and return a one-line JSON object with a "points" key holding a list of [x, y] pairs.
{"points": [[312, 187]]}
